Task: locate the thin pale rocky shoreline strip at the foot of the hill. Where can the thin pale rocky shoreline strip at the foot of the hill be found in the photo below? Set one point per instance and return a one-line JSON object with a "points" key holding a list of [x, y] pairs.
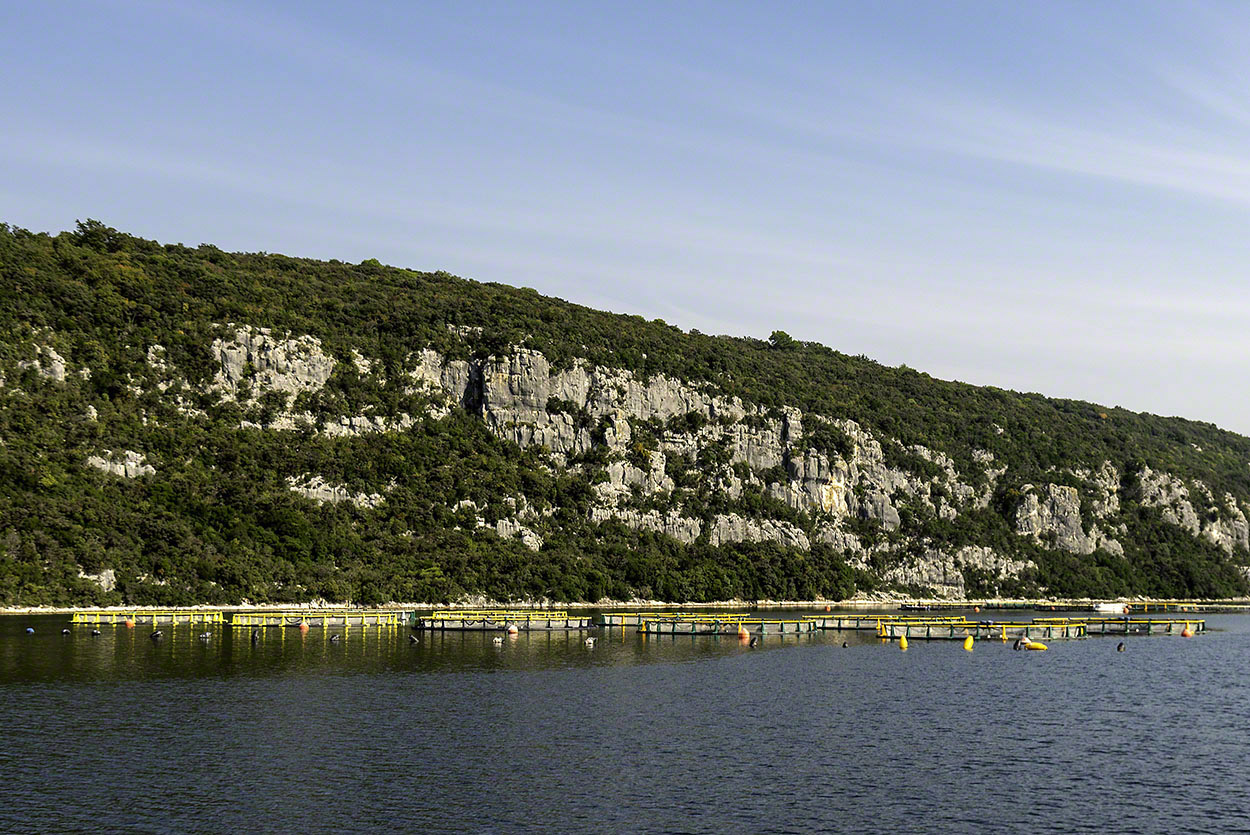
{"points": [[854, 604]]}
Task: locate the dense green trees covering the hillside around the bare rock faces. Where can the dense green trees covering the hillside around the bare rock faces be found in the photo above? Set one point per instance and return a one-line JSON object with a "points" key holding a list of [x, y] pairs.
{"points": [[219, 523]]}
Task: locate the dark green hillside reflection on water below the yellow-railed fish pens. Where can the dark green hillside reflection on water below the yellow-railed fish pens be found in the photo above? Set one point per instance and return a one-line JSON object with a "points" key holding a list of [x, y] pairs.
{"points": [[121, 654]]}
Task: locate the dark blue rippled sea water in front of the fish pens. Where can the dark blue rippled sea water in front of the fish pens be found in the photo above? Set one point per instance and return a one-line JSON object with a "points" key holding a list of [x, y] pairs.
{"points": [[642, 736]]}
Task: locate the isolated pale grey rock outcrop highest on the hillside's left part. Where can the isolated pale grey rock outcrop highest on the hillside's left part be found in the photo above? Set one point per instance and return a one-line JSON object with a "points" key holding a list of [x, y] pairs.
{"points": [[253, 357]]}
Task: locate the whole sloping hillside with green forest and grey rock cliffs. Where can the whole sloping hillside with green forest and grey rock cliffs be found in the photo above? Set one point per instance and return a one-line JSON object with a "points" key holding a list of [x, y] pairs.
{"points": [[187, 426]]}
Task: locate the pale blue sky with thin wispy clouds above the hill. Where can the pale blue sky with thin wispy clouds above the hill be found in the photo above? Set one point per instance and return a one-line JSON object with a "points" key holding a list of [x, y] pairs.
{"points": [[1044, 197]]}
